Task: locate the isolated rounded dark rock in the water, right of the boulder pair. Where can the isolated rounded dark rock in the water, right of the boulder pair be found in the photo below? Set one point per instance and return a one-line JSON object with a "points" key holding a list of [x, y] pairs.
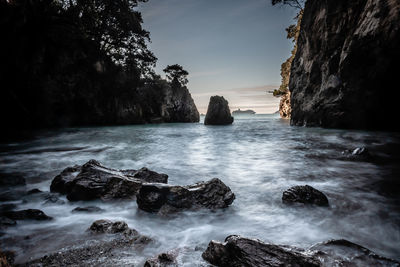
{"points": [[304, 194]]}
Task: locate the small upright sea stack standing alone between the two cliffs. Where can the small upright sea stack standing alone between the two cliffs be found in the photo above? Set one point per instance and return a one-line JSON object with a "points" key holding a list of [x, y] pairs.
{"points": [[218, 112]]}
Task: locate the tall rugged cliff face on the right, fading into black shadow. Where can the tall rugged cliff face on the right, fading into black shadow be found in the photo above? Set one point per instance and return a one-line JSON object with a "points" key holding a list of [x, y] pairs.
{"points": [[344, 74]]}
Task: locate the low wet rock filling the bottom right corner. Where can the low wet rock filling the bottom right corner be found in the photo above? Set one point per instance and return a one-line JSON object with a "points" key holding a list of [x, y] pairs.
{"points": [[345, 253]]}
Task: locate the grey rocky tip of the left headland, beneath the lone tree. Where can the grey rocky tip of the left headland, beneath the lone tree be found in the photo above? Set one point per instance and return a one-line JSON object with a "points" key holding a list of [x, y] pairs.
{"points": [[178, 105]]}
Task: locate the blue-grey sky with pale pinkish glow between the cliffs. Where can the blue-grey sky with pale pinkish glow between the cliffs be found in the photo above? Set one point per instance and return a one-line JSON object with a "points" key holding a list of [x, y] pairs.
{"points": [[232, 48]]}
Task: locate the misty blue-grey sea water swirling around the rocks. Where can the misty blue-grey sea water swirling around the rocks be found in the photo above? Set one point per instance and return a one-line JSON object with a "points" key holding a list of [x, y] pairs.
{"points": [[258, 157]]}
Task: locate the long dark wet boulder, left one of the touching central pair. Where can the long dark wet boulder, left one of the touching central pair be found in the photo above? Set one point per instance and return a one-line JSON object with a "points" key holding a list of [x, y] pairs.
{"points": [[94, 181]]}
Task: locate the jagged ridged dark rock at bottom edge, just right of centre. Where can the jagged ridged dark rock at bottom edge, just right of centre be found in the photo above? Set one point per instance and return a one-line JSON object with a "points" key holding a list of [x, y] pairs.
{"points": [[239, 251]]}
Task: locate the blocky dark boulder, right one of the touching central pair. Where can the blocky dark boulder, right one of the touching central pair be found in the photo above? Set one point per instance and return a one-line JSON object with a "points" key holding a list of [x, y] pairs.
{"points": [[213, 194]]}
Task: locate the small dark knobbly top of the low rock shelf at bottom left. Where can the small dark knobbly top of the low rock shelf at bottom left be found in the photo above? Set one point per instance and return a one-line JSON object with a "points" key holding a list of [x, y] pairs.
{"points": [[109, 227]]}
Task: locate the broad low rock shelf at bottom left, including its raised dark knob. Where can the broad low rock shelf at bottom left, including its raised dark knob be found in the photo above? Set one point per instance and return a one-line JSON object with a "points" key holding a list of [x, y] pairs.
{"points": [[115, 244]]}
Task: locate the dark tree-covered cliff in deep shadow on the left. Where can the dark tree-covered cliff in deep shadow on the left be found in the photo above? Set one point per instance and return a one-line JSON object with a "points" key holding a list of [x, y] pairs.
{"points": [[72, 63]]}
